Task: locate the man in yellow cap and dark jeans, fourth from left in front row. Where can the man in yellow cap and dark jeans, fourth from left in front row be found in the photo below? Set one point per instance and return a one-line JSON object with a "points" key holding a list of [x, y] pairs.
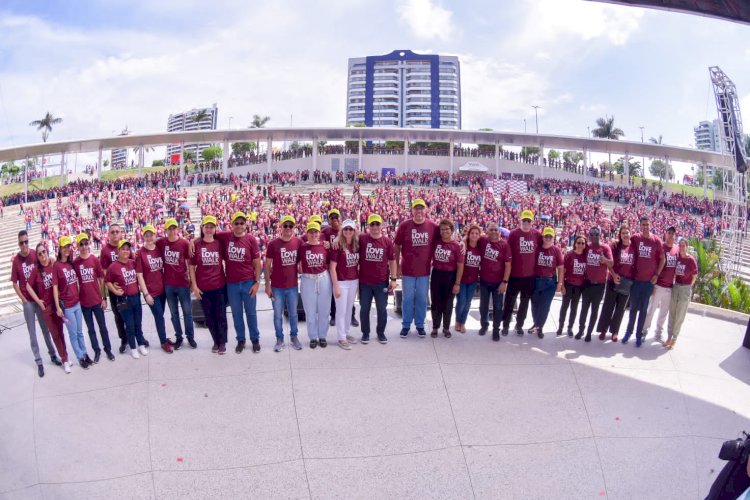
{"points": [[92, 296]]}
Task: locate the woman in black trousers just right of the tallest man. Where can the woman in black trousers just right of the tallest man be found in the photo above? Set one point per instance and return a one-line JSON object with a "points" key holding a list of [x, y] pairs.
{"points": [[445, 280]]}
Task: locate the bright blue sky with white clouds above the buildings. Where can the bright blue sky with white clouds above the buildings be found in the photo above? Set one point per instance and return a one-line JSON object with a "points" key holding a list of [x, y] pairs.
{"points": [[104, 65]]}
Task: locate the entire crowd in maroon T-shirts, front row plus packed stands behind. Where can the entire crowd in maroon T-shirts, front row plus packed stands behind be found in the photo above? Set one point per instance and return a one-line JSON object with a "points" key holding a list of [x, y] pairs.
{"points": [[330, 248]]}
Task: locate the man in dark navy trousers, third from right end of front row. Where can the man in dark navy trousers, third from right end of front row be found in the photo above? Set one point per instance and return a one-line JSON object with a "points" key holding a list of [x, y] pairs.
{"points": [[648, 262]]}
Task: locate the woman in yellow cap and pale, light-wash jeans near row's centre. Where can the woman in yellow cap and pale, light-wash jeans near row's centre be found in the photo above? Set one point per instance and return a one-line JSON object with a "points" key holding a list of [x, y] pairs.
{"points": [[315, 286]]}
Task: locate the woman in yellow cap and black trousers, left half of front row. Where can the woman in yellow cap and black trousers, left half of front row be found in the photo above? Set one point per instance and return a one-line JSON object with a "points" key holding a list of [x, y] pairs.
{"points": [[209, 283]]}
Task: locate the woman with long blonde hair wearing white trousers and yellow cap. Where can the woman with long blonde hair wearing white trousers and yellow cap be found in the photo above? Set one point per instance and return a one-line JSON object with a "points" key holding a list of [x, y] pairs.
{"points": [[344, 268]]}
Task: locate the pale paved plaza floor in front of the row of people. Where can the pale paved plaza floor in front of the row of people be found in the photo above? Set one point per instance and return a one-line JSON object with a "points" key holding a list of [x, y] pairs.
{"points": [[417, 418]]}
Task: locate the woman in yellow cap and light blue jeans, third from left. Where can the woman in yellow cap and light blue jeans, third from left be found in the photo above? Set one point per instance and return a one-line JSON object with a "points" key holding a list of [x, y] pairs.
{"points": [[65, 293]]}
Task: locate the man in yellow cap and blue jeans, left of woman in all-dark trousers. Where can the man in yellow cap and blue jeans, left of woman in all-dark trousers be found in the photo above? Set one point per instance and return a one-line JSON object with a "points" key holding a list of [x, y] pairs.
{"points": [[176, 255]]}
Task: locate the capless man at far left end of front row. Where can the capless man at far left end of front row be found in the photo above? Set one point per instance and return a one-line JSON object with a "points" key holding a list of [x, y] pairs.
{"points": [[22, 266]]}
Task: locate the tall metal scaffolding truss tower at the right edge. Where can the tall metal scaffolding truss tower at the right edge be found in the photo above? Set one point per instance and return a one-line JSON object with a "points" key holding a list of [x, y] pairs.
{"points": [[733, 194]]}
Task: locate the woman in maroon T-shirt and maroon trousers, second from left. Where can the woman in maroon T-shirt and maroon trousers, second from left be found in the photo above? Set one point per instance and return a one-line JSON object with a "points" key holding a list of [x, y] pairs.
{"points": [[39, 287]]}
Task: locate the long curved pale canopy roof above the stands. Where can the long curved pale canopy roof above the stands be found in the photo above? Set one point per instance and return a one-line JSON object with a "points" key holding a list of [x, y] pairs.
{"points": [[375, 134]]}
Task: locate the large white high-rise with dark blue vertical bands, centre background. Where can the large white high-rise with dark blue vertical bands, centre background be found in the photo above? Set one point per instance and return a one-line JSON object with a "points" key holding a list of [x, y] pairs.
{"points": [[404, 89]]}
